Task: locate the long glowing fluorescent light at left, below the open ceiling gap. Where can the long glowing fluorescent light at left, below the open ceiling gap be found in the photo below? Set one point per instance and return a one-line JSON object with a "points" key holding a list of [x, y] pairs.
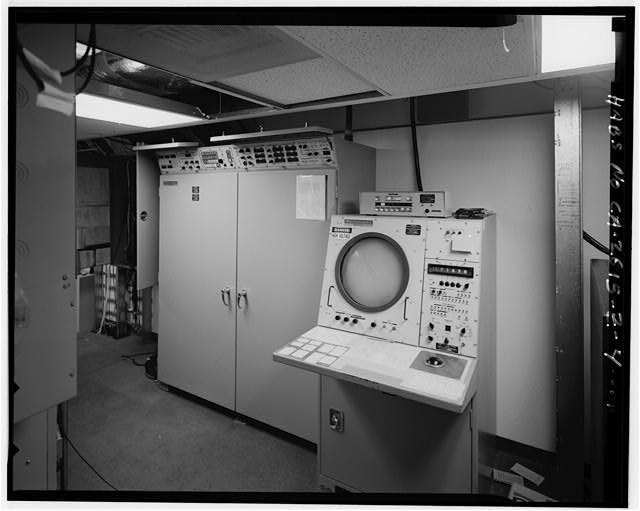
{"points": [[101, 108]]}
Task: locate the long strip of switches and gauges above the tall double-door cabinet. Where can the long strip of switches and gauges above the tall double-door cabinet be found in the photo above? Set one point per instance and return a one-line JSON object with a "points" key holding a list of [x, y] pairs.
{"points": [[289, 154]]}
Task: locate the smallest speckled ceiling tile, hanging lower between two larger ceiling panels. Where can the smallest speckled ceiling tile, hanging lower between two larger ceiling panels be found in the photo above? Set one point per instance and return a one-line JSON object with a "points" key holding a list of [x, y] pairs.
{"points": [[310, 80]]}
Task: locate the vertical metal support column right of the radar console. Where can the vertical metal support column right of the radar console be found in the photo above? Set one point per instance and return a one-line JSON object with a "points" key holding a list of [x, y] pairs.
{"points": [[569, 326]]}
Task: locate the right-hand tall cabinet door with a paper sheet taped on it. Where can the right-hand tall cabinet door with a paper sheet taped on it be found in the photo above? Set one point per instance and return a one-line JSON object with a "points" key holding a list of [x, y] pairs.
{"points": [[280, 265]]}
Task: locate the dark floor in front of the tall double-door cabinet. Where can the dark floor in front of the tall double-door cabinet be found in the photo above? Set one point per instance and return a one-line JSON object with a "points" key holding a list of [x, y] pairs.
{"points": [[139, 436]]}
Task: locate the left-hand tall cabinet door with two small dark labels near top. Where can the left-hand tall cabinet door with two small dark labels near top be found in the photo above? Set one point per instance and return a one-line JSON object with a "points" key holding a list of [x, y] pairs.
{"points": [[196, 330]]}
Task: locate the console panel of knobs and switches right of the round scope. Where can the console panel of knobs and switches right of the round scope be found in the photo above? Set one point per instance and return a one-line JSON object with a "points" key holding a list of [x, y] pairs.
{"points": [[451, 291]]}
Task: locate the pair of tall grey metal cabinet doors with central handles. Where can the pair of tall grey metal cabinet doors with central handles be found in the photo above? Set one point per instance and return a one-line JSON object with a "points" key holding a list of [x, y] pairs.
{"points": [[238, 273]]}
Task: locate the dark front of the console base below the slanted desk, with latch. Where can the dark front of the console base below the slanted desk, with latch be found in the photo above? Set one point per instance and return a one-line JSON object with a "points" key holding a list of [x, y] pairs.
{"points": [[390, 444]]}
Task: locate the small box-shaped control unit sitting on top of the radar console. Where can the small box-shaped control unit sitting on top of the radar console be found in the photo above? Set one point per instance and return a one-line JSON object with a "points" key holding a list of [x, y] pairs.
{"points": [[423, 204]]}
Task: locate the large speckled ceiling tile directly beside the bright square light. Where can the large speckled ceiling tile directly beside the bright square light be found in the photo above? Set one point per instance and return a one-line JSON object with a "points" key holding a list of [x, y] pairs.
{"points": [[412, 60]]}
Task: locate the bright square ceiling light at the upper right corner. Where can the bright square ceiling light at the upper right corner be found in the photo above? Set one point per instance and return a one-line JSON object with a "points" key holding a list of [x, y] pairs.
{"points": [[571, 42]]}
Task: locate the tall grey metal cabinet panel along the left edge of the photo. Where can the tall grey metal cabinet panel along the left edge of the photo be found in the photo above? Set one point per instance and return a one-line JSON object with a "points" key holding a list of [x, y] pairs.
{"points": [[44, 335]]}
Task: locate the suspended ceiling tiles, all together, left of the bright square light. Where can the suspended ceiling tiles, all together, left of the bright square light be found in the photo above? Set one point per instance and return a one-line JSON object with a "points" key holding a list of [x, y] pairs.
{"points": [[294, 64]]}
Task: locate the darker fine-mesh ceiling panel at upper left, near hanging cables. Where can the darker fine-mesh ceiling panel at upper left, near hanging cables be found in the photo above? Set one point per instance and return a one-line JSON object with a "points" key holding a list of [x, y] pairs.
{"points": [[206, 53]]}
